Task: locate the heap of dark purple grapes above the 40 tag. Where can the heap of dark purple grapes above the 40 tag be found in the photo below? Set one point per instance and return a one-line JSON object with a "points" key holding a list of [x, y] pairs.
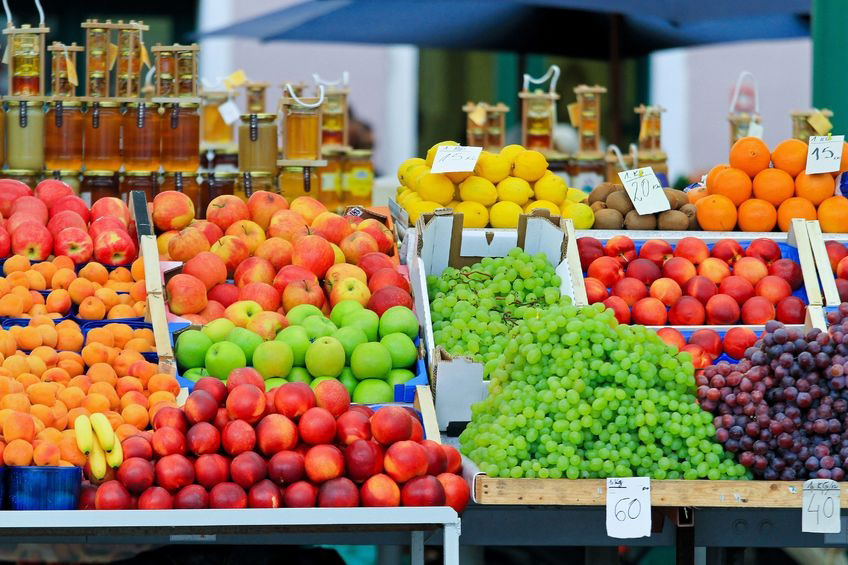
{"points": [[783, 409]]}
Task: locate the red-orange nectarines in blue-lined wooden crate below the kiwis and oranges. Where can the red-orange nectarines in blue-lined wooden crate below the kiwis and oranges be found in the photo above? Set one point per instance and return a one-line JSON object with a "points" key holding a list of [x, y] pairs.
{"points": [[689, 284]]}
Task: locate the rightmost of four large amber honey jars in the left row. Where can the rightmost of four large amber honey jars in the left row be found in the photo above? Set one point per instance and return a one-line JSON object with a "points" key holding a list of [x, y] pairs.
{"points": [[181, 137]]}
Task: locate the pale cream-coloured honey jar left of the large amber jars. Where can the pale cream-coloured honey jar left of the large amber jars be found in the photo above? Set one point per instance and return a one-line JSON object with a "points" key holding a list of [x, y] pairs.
{"points": [[25, 135]]}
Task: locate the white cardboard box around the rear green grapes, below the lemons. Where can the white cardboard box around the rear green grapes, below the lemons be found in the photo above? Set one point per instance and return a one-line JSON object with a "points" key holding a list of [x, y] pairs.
{"points": [[441, 242]]}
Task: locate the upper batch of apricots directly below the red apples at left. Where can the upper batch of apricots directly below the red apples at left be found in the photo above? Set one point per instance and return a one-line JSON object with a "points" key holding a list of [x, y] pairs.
{"points": [[98, 293]]}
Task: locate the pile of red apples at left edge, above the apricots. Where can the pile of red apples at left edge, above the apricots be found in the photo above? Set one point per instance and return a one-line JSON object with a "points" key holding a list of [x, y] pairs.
{"points": [[52, 220]]}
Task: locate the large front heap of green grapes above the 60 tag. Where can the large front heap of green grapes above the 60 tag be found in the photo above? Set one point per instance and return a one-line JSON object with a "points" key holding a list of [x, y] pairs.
{"points": [[577, 395]]}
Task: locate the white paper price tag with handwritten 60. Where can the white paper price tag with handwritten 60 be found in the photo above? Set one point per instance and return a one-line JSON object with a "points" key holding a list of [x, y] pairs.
{"points": [[629, 507]]}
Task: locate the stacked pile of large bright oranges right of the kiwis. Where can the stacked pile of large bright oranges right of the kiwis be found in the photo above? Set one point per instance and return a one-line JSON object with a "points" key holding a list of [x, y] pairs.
{"points": [[760, 190]]}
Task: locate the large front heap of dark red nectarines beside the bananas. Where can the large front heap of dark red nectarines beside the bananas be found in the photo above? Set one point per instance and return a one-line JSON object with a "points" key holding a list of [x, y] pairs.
{"points": [[237, 446]]}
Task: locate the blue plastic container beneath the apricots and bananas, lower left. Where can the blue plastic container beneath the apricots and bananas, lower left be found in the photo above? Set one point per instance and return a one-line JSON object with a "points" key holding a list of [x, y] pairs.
{"points": [[43, 488]]}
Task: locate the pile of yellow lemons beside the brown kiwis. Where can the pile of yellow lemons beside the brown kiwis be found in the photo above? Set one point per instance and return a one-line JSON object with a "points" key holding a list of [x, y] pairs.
{"points": [[502, 187]]}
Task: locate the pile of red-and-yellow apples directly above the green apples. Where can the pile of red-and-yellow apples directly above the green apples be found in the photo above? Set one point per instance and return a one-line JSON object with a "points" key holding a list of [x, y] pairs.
{"points": [[278, 255]]}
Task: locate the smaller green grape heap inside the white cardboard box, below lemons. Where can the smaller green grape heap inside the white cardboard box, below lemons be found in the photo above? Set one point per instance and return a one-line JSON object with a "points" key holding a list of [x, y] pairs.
{"points": [[475, 308]]}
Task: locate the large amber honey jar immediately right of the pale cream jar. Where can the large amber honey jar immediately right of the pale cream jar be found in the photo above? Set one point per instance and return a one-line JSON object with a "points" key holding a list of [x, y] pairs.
{"points": [[63, 135]]}
